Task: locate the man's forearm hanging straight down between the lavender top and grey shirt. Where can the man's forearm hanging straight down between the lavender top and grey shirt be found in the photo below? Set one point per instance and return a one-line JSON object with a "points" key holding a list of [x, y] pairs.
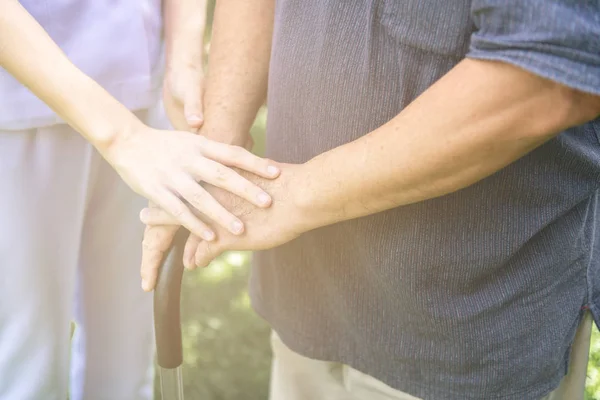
{"points": [[238, 68]]}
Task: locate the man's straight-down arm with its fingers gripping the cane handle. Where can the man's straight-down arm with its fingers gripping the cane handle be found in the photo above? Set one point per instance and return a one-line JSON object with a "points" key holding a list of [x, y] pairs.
{"points": [[236, 88]]}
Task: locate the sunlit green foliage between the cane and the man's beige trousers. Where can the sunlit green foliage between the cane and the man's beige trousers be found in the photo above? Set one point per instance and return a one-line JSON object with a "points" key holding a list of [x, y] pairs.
{"points": [[227, 354]]}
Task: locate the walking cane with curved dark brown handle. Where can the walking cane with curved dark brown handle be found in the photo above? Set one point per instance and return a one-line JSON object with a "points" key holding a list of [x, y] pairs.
{"points": [[167, 321]]}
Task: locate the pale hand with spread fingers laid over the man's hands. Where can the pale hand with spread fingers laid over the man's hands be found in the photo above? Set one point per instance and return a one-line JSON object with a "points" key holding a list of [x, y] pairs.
{"points": [[166, 166]]}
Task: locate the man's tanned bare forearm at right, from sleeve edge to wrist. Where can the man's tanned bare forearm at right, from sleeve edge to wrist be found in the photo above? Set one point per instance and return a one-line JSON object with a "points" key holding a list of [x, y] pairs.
{"points": [[476, 120]]}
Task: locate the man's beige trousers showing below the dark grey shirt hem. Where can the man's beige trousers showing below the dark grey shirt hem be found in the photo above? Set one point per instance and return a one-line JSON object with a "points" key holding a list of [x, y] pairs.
{"points": [[295, 377]]}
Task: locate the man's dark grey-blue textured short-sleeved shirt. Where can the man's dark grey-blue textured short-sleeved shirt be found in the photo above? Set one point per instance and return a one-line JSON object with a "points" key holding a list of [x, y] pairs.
{"points": [[474, 295]]}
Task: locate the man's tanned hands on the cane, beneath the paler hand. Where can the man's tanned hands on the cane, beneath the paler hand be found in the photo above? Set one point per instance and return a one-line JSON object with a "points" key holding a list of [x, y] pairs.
{"points": [[265, 228]]}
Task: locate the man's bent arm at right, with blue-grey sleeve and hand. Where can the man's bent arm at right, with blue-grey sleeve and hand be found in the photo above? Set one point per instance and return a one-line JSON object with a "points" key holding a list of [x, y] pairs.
{"points": [[475, 120]]}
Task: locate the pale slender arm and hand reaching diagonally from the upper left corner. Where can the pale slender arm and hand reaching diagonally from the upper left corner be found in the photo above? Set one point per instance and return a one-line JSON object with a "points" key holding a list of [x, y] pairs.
{"points": [[164, 167]]}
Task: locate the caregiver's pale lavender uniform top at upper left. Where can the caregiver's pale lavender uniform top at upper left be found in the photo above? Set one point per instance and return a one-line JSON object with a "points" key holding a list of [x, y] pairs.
{"points": [[118, 43]]}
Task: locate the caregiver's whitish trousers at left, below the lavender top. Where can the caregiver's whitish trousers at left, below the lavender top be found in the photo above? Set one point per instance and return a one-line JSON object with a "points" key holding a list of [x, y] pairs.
{"points": [[70, 249]]}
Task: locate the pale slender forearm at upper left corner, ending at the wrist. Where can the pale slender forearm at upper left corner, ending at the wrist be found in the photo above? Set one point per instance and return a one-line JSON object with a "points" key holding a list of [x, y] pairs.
{"points": [[30, 55]]}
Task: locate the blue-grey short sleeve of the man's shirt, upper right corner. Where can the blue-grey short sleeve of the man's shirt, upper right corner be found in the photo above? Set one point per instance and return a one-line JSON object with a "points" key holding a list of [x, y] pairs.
{"points": [[556, 39]]}
